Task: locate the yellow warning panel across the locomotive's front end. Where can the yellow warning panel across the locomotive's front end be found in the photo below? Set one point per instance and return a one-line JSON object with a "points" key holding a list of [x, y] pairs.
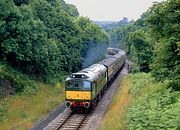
{"points": [[81, 95]]}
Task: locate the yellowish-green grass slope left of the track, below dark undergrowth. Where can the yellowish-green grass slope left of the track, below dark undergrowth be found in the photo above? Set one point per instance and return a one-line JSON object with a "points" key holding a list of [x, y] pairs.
{"points": [[22, 111]]}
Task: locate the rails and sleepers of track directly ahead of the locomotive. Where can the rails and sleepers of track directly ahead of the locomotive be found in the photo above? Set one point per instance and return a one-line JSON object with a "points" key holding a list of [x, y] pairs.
{"points": [[69, 121]]}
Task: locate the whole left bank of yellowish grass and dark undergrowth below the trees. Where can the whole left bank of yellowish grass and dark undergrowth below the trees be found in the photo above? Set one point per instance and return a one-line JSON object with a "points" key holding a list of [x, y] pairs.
{"points": [[26, 100]]}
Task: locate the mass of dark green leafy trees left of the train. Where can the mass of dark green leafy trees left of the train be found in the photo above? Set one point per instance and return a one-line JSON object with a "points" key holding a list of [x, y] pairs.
{"points": [[42, 38]]}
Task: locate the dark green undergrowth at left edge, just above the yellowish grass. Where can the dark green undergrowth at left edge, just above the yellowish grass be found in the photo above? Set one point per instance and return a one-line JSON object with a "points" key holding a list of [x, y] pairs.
{"points": [[15, 82]]}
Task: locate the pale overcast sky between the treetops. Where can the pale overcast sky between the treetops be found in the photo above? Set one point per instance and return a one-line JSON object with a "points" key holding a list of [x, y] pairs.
{"points": [[111, 10]]}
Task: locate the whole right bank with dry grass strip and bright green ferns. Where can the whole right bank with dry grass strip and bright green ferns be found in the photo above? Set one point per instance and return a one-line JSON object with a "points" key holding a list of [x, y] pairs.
{"points": [[142, 103]]}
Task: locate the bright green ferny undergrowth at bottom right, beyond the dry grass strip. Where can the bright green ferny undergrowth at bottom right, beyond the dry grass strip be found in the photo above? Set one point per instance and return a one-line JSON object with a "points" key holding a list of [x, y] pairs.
{"points": [[154, 106]]}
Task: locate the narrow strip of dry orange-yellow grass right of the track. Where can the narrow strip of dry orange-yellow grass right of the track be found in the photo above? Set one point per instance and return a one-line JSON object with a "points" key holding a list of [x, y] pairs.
{"points": [[114, 118]]}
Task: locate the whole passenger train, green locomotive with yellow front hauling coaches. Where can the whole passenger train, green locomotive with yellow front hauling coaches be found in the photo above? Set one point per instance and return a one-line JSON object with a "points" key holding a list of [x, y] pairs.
{"points": [[84, 88]]}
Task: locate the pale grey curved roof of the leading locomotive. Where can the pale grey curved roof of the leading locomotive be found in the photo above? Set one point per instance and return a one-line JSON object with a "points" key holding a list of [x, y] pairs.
{"points": [[91, 73]]}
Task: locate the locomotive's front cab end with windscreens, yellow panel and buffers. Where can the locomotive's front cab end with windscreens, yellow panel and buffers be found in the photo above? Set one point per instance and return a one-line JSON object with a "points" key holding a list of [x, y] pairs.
{"points": [[78, 92]]}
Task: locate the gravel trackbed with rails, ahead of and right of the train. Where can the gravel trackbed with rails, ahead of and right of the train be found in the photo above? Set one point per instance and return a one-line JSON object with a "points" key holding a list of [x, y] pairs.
{"points": [[68, 120]]}
